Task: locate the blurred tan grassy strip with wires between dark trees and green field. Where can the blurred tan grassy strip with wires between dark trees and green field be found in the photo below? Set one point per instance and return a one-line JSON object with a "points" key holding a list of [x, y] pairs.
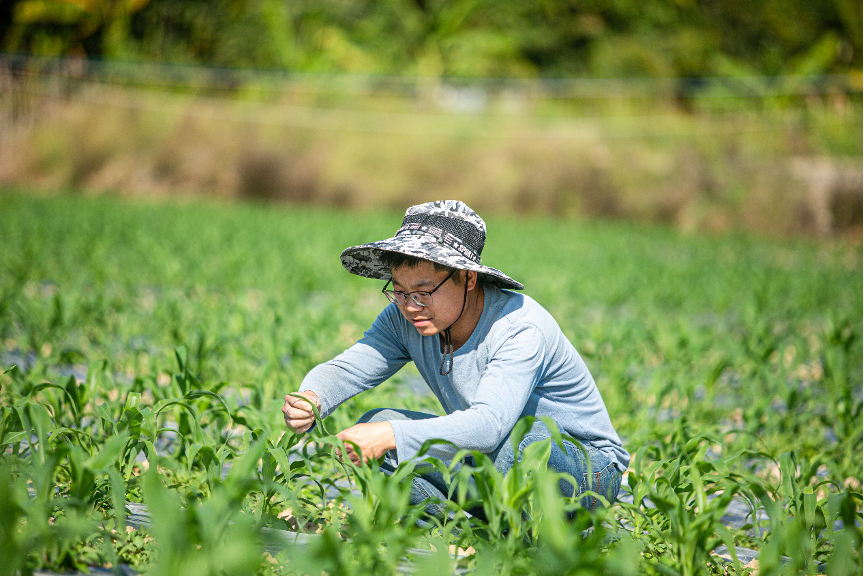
{"points": [[778, 154]]}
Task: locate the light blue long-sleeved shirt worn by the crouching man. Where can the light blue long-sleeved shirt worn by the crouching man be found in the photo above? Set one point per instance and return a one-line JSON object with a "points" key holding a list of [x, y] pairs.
{"points": [[517, 362]]}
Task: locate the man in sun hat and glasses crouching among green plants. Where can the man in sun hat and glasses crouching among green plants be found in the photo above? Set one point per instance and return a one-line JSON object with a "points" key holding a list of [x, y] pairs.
{"points": [[488, 354]]}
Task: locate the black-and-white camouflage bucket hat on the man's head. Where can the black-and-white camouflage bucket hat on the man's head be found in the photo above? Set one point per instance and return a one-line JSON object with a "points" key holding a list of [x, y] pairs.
{"points": [[445, 231]]}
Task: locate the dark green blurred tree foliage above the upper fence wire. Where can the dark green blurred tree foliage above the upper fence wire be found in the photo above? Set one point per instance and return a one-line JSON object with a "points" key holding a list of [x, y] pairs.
{"points": [[453, 38]]}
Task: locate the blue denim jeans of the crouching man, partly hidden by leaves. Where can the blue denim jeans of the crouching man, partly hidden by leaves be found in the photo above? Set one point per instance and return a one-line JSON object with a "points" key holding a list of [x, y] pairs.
{"points": [[429, 484]]}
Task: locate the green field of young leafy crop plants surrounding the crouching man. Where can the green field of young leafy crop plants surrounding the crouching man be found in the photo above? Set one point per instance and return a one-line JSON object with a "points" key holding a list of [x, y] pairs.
{"points": [[730, 365]]}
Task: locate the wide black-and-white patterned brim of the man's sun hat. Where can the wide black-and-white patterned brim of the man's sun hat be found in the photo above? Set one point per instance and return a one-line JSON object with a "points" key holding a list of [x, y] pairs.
{"points": [[364, 260]]}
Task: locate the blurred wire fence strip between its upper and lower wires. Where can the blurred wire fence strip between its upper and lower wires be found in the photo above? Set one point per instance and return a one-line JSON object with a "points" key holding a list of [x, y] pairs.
{"points": [[415, 106]]}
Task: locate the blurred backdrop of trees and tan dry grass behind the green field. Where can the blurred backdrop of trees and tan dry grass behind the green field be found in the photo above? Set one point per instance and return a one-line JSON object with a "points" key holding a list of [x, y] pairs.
{"points": [[703, 115]]}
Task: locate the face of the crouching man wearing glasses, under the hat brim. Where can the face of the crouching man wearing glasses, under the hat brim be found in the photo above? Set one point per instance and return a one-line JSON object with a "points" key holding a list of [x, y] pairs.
{"points": [[447, 300]]}
